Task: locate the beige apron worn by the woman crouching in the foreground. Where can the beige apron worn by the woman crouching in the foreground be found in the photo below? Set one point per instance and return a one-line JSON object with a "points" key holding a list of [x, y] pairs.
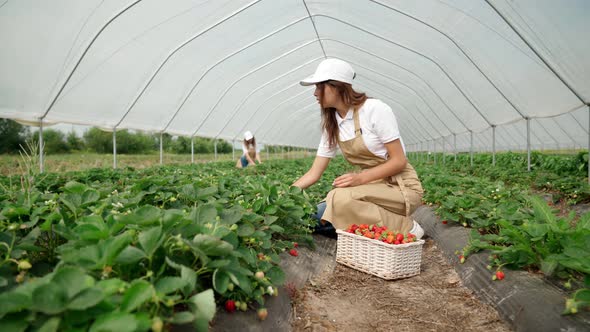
{"points": [[390, 201]]}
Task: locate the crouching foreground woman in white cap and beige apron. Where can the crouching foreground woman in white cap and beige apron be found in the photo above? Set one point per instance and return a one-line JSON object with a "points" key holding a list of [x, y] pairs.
{"points": [[387, 189]]}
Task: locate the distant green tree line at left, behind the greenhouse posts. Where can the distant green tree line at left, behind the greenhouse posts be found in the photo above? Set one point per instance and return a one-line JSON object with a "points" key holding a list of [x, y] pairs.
{"points": [[13, 136]]}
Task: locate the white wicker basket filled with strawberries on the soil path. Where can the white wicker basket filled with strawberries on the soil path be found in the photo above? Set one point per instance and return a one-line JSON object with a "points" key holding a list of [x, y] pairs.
{"points": [[381, 259]]}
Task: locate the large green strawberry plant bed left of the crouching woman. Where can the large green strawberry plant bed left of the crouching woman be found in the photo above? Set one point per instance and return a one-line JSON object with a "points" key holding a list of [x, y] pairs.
{"points": [[149, 248]]}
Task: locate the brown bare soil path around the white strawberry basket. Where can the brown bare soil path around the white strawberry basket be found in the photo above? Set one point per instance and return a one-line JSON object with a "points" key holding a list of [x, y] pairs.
{"points": [[435, 300]]}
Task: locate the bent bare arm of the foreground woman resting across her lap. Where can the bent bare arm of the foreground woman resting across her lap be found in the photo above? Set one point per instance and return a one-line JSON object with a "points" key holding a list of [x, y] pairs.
{"points": [[395, 164]]}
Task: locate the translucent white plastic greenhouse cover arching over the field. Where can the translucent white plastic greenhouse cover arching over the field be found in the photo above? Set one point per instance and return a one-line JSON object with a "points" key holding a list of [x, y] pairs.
{"points": [[455, 72]]}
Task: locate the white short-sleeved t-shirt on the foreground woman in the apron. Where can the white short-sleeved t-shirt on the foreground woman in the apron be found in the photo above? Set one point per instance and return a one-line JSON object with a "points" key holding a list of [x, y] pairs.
{"points": [[378, 125]]}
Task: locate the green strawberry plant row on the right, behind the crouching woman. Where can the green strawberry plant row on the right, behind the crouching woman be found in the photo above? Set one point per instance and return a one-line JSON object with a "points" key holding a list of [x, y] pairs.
{"points": [[521, 231]]}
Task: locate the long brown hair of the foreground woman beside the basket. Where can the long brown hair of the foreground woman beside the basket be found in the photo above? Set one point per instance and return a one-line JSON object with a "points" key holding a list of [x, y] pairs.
{"points": [[350, 97]]}
